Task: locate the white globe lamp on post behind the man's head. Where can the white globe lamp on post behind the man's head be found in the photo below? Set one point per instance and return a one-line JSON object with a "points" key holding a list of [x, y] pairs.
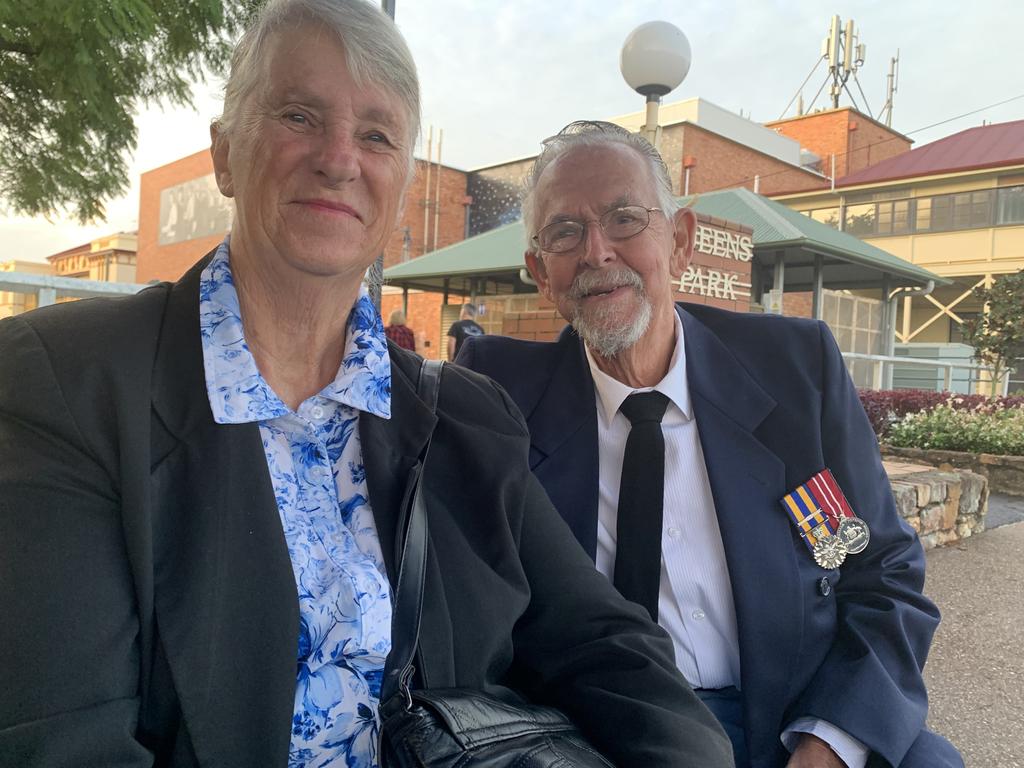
{"points": [[655, 61]]}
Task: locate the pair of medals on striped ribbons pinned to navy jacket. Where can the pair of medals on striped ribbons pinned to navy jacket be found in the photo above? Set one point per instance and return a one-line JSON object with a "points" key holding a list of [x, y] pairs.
{"points": [[826, 522]]}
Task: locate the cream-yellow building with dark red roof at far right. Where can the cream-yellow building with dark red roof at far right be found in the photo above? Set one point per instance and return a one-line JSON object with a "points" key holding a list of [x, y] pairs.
{"points": [[955, 207]]}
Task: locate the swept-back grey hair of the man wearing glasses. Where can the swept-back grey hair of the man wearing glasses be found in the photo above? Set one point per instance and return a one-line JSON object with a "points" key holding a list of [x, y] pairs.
{"points": [[594, 134]]}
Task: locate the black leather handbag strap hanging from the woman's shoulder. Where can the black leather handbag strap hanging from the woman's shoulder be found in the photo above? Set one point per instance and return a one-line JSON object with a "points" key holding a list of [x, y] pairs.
{"points": [[409, 593]]}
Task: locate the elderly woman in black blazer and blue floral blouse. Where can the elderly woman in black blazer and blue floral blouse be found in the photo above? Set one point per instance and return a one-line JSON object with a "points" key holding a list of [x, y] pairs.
{"points": [[199, 524]]}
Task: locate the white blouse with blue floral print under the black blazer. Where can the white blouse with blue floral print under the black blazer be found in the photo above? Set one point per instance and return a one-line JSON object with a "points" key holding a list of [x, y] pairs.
{"points": [[316, 463]]}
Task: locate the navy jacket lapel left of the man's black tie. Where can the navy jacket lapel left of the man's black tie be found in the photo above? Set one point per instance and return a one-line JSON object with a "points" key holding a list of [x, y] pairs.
{"points": [[564, 440]]}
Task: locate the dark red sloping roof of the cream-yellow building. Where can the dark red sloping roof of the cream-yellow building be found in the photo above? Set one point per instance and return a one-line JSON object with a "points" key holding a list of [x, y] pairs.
{"points": [[985, 147]]}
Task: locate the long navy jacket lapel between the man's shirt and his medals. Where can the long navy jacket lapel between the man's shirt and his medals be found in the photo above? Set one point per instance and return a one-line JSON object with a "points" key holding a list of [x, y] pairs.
{"points": [[747, 482]]}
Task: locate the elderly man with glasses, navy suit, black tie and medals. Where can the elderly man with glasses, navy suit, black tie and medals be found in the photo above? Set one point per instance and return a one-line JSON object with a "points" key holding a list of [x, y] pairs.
{"points": [[808, 660]]}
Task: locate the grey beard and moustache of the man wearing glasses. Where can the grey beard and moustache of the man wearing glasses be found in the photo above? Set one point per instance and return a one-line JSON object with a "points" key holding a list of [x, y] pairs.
{"points": [[605, 335]]}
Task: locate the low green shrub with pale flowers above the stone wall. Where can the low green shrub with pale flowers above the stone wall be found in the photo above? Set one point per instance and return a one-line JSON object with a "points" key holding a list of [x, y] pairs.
{"points": [[947, 429]]}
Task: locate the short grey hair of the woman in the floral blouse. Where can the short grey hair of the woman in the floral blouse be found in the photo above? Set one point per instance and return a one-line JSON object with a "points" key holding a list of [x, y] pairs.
{"points": [[375, 53]]}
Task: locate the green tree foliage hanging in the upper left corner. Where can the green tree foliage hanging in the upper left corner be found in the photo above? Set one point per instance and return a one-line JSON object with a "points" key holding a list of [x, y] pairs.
{"points": [[73, 76]]}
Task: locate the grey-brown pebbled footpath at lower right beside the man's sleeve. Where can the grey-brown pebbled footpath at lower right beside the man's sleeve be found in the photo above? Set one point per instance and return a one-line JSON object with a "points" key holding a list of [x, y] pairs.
{"points": [[975, 672]]}
